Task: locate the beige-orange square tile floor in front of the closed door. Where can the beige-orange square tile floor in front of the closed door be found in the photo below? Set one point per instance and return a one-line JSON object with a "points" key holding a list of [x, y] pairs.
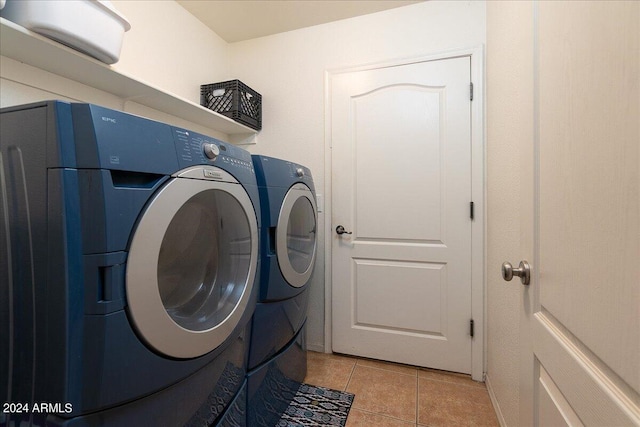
{"points": [[388, 394]]}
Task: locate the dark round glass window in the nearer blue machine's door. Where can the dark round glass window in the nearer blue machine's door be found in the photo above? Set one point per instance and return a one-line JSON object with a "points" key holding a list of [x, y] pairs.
{"points": [[204, 260]]}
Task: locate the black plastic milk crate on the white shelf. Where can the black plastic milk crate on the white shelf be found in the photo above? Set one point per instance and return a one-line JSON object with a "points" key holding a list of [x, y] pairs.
{"points": [[235, 100]]}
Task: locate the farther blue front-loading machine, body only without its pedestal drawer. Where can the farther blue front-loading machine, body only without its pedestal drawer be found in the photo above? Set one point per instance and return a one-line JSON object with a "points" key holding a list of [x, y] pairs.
{"points": [[288, 247]]}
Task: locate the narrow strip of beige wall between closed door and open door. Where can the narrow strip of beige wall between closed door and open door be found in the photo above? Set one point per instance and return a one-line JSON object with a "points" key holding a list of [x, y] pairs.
{"points": [[509, 126]]}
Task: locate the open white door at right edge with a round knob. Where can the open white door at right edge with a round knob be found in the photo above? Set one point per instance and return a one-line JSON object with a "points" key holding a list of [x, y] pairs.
{"points": [[581, 323]]}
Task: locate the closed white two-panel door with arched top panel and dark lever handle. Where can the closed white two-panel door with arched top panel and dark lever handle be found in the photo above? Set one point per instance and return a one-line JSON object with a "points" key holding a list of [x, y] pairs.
{"points": [[401, 171]]}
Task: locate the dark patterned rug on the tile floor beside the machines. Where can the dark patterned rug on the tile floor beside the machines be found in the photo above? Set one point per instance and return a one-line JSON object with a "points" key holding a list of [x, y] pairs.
{"points": [[317, 406]]}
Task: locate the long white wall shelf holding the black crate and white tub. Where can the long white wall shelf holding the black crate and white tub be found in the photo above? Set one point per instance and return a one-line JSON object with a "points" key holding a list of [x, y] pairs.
{"points": [[30, 48]]}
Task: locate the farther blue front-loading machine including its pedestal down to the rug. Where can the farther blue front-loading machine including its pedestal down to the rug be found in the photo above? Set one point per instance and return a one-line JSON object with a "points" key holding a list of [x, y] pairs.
{"points": [[288, 252]]}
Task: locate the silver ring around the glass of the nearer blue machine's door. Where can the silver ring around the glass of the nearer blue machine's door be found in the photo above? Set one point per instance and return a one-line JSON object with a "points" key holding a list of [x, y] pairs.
{"points": [[146, 309]]}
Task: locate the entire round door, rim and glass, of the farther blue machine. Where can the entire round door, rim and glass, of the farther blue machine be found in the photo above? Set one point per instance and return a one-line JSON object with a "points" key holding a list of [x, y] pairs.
{"points": [[296, 234]]}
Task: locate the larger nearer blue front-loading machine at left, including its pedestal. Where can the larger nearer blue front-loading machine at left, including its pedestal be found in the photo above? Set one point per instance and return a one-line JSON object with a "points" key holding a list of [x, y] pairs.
{"points": [[129, 268]]}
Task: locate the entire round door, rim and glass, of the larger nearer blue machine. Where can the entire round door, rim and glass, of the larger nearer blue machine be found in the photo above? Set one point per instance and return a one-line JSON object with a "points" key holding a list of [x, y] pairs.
{"points": [[192, 264]]}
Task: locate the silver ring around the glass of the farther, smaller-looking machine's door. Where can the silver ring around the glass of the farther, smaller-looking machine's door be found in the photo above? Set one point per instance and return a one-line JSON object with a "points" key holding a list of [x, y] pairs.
{"points": [[294, 278]]}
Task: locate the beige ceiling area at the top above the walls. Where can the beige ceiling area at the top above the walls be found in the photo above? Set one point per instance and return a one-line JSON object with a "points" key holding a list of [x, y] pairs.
{"points": [[237, 20]]}
